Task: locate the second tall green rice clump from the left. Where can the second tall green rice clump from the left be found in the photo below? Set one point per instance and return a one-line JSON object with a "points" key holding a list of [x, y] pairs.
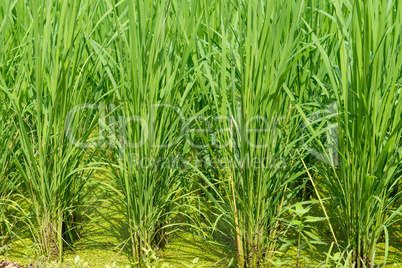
{"points": [[150, 110]]}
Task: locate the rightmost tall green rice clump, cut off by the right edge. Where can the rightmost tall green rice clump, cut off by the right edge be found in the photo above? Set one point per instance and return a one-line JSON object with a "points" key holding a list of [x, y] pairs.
{"points": [[362, 73]]}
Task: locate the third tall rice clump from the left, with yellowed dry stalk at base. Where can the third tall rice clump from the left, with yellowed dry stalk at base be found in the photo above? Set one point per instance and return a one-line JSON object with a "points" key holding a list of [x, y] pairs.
{"points": [[256, 49]]}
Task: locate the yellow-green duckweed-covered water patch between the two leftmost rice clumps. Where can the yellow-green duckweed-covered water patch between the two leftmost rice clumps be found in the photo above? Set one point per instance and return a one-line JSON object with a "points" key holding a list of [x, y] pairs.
{"points": [[105, 231]]}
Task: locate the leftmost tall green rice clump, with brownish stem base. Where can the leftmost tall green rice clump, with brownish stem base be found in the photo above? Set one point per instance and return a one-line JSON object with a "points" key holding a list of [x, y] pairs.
{"points": [[43, 96]]}
